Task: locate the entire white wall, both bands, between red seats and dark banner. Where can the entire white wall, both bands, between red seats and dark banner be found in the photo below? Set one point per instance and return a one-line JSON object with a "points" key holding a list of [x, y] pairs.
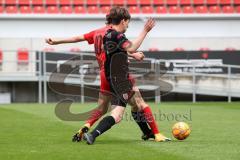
{"points": [[170, 32]]}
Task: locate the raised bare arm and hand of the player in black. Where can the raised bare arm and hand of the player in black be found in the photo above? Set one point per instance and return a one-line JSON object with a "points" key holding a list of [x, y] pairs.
{"points": [[134, 45]]}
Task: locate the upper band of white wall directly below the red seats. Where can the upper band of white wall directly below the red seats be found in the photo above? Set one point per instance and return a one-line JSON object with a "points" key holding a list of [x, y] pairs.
{"points": [[165, 27]]}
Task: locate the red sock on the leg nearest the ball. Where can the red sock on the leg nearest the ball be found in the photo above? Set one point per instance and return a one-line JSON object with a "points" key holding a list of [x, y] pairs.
{"points": [[150, 120]]}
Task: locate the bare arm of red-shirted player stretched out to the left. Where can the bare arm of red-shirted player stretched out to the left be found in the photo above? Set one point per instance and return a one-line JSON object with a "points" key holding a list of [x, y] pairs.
{"points": [[62, 41]]}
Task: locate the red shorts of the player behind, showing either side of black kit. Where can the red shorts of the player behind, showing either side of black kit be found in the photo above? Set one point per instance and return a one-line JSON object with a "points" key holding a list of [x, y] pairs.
{"points": [[104, 86]]}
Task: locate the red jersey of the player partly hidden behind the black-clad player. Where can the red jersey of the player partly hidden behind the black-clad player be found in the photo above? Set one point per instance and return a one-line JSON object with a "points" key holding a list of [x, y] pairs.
{"points": [[96, 37]]}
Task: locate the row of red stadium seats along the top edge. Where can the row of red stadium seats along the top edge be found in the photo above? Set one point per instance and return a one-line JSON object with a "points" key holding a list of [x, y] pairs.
{"points": [[134, 6]]}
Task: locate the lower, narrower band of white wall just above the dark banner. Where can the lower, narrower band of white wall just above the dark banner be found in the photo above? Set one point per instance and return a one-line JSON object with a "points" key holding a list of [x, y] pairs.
{"points": [[162, 43]]}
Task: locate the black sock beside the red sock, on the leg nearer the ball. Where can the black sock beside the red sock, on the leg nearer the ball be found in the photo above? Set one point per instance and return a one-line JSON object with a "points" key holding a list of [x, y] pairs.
{"points": [[140, 120]]}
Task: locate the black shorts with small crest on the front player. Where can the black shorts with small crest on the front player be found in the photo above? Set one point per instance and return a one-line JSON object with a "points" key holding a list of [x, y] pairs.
{"points": [[121, 91]]}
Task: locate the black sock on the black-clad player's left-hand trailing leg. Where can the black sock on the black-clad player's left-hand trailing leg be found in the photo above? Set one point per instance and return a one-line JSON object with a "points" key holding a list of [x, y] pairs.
{"points": [[104, 125]]}
